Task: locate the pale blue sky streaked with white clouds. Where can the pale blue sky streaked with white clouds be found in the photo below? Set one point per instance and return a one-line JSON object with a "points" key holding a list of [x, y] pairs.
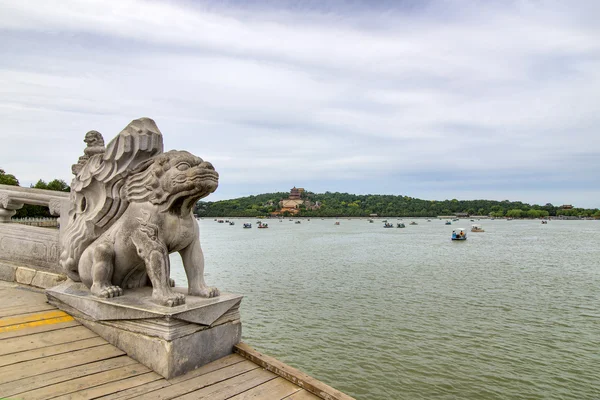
{"points": [[430, 99]]}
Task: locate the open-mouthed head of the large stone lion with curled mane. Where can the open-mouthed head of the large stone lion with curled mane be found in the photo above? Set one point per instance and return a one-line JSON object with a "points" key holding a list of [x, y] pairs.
{"points": [[175, 180]]}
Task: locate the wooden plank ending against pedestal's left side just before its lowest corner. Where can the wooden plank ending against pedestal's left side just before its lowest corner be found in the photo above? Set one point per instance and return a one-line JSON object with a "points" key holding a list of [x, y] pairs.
{"points": [[75, 385]]}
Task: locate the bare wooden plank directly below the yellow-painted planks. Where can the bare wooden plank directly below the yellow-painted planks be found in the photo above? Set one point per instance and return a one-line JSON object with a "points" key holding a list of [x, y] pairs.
{"points": [[38, 340]]}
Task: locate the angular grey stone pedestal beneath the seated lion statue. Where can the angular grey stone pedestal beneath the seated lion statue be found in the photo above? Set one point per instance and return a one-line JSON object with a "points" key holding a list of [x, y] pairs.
{"points": [[170, 340]]}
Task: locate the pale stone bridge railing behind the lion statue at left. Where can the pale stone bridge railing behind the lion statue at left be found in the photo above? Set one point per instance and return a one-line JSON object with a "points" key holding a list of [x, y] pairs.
{"points": [[32, 248]]}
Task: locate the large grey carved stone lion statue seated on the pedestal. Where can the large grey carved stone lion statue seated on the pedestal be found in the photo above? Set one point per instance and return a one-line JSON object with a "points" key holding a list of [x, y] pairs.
{"points": [[131, 206]]}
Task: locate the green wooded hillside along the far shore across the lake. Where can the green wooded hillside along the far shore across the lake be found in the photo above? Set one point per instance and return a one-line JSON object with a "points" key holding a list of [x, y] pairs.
{"points": [[335, 204]]}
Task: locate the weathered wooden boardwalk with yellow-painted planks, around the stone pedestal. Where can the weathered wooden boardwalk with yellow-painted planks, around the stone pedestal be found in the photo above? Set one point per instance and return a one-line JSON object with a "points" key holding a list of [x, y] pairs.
{"points": [[46, 354]]}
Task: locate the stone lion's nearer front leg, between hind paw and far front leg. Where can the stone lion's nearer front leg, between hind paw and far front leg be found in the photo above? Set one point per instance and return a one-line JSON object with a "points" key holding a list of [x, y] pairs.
{"points": [[156, 257]]}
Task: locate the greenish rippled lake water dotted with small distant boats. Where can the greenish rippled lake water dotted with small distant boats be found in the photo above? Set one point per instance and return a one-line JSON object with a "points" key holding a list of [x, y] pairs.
{"points": [[512, 313]]}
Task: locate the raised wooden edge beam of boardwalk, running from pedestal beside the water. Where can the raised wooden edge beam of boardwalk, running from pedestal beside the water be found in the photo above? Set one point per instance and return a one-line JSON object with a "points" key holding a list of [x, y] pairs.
{"points": [[293, 375]]}
